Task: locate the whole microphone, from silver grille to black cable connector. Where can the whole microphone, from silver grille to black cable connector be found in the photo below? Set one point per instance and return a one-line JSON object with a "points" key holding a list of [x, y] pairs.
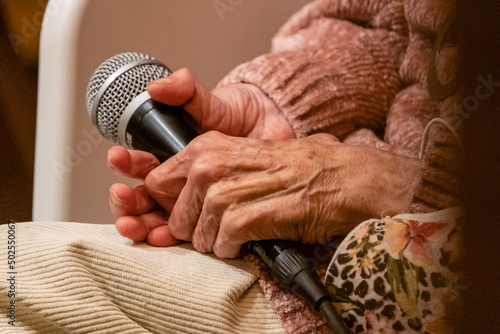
{"points": [[120, 107]]}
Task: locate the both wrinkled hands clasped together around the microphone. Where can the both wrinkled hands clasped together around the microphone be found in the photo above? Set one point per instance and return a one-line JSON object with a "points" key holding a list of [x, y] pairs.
{"points": [[248, 178]]}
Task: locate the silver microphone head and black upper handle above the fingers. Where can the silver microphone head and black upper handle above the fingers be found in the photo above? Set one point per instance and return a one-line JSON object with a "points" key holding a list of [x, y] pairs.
{"points": [[122, 110]]}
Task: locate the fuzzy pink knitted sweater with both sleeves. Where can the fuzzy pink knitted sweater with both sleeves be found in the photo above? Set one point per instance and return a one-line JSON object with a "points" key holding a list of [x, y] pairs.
{"points": [[358, 69]]}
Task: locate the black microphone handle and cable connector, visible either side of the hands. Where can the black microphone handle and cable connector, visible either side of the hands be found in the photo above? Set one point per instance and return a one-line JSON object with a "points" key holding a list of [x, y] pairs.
{"points": [[164, 131]]}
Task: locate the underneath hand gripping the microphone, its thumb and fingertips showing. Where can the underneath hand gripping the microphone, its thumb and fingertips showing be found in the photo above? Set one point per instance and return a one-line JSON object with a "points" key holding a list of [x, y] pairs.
{"points": [[238, 110]]}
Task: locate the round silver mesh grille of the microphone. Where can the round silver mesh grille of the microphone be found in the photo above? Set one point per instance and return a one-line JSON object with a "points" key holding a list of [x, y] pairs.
{"points": [[115, 83]]}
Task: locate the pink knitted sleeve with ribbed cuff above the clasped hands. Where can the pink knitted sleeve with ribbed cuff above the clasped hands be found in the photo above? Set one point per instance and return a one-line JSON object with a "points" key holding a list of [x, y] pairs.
{"points": [[334, 67]]}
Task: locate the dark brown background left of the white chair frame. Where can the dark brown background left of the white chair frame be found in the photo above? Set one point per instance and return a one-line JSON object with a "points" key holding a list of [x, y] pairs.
{"points": [[18, 72]]}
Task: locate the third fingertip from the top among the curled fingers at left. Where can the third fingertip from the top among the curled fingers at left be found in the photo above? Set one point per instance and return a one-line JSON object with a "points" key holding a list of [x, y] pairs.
{"points": [[137, 228]]}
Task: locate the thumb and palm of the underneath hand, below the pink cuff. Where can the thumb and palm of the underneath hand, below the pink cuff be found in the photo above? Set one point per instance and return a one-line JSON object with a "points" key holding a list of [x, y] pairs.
{"points": [[240, 110]]}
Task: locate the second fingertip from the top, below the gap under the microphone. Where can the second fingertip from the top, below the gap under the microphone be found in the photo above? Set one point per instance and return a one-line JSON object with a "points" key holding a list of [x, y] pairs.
{"points": [[126, 201]]}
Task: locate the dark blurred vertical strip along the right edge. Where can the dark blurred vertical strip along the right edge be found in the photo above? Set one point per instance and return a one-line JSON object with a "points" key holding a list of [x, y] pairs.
{"points": [[481, 179]]}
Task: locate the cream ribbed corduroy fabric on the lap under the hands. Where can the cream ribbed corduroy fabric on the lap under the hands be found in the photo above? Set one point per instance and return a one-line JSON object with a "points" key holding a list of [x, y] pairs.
{"points": [[83, 278]]}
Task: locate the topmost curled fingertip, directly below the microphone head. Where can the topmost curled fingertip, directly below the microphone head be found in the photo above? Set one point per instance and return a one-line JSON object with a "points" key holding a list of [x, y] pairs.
{"points": [[131, 163]]}
